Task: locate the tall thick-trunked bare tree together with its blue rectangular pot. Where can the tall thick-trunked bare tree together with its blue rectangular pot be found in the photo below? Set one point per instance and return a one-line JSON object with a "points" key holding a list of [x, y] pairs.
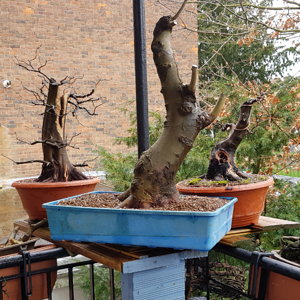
{"points": [[134, 221]]}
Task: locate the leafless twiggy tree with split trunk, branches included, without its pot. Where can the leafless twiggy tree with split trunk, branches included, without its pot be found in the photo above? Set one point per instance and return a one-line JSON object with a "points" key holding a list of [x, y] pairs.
{"points": [[59, 101]]}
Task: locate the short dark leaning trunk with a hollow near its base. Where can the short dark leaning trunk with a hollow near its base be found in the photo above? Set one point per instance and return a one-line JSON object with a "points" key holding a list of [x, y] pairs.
{"points": [[221, 164]]}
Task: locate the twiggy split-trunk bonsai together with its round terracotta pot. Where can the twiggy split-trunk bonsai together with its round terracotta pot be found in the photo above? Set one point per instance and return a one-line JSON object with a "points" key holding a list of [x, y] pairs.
{"points": [[59, 178]]}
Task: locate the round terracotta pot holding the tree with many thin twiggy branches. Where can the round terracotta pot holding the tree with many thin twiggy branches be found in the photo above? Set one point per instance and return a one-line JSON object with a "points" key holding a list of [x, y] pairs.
{"points": [[34, 194]]}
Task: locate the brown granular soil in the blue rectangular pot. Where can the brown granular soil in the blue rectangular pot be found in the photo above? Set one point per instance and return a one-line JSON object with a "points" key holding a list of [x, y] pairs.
{"points": [[186, 203]]}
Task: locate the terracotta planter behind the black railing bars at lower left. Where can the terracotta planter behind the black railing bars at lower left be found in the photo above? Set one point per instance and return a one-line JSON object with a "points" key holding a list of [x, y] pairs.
{"points": [[12, 288]]}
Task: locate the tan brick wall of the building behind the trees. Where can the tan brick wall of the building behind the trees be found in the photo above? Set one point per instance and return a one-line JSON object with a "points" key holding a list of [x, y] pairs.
{"points": [[89, 39]]}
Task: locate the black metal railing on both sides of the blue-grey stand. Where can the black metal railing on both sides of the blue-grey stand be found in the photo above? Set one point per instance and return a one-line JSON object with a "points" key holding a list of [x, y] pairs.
{"points": [[257, 260]]}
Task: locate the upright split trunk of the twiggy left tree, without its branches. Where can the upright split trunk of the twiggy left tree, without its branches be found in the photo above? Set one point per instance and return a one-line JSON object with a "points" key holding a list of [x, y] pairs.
{"points": [[58, 166]]}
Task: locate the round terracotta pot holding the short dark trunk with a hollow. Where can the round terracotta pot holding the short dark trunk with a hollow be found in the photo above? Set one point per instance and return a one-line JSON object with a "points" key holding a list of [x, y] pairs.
{"points": [[251, 199]]}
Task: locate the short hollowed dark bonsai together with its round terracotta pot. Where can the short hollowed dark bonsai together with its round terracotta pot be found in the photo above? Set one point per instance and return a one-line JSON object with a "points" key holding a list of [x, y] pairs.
{"points": [[224, 178]]}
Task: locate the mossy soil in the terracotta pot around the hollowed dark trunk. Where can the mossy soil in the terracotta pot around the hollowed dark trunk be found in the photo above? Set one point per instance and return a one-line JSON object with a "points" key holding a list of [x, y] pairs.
{"points": [[201, 182]]}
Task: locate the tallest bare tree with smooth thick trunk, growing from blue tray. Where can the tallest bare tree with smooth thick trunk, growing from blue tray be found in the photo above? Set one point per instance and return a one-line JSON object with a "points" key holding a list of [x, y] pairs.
{"points": [[154, 173]]}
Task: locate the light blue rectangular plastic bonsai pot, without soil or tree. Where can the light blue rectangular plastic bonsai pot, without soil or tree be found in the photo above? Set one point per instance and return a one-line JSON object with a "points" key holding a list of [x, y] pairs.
{"points": [[151, 228]]}
